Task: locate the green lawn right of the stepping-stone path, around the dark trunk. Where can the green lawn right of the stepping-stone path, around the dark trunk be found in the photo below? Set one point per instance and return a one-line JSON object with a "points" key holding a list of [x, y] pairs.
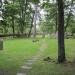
{"points": [[52, 68]]}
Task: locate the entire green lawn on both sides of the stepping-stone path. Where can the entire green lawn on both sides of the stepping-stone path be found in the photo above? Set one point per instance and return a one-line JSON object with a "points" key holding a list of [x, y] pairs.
{"points": [[17, 51]]}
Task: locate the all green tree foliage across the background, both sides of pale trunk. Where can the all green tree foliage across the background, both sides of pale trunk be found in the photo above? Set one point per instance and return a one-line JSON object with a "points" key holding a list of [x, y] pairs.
{"points": [[20, 13]]}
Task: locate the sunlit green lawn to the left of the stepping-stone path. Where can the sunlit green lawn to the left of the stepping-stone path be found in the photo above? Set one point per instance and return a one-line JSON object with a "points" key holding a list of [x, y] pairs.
{"points": [[16, 52]]}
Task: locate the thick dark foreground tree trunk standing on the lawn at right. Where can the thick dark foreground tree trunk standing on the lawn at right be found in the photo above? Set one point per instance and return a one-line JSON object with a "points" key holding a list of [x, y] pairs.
{"points": [[61, 46]]}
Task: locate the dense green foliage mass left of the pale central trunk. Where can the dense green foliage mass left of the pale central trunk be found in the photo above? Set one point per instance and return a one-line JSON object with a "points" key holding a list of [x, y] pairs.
{"points": [[18, 13]]}
